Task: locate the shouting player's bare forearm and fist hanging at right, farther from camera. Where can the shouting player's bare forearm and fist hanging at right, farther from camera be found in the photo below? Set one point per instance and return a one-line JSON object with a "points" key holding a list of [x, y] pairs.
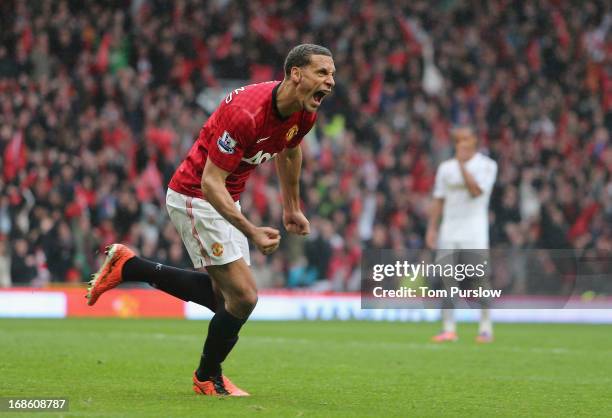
{"points": [[288, 167]]}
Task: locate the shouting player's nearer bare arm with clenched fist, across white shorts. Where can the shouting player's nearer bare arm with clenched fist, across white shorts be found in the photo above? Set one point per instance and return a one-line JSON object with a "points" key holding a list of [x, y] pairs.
{"points": [[213, 186]]}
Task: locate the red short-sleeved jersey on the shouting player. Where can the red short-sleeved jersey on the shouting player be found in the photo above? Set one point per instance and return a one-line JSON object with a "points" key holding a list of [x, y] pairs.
{"points": [[245, 130]]}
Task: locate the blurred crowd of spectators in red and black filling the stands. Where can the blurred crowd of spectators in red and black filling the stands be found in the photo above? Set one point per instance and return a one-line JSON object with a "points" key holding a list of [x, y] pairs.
{"points": [[99, 102]]}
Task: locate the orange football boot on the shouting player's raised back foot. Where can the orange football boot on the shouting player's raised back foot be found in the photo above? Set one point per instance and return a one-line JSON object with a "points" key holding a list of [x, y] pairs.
{"points": [[109, 275]]}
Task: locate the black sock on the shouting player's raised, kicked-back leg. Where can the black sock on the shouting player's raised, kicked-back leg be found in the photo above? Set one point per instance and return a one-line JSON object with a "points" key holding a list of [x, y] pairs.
{"points": [[188, 285]]}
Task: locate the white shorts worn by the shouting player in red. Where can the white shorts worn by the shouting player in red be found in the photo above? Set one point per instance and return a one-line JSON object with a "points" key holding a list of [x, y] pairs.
{"points": [[209, 238]]}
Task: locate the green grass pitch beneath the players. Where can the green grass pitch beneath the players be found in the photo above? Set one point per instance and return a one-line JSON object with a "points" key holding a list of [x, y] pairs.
{"points": [[142, 368]]}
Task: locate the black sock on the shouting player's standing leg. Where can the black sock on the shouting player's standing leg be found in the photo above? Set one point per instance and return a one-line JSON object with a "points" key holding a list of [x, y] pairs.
{"points": [[222, 337]]}
